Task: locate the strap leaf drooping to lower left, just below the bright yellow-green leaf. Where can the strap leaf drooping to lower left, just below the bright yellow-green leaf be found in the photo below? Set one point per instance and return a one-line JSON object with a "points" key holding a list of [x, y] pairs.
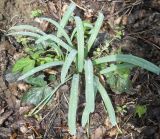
{"points": [[39, 68]]}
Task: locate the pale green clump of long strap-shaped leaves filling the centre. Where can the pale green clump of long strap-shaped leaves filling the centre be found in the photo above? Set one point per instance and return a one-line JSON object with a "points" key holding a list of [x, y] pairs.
{"points": [[78, 63]]}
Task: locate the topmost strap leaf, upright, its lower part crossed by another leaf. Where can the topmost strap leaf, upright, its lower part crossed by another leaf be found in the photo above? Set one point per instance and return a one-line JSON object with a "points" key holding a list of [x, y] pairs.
{"points": [[66, 17]]}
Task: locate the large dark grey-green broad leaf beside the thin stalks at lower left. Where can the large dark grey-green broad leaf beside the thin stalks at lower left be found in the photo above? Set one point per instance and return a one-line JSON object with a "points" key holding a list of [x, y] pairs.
{"points": [[35, 95]]}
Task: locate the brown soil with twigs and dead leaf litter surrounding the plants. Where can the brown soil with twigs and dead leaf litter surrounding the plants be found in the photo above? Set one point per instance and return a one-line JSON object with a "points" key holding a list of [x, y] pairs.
{"points": [[141, 22]]}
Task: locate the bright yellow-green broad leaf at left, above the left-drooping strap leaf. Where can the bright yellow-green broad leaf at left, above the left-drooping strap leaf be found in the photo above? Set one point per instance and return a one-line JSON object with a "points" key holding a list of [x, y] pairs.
{"points": [[23, 65]]}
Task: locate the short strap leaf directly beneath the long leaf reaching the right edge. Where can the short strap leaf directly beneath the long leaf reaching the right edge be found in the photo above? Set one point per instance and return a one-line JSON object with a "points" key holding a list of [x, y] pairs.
{"points": [[116, 67]]}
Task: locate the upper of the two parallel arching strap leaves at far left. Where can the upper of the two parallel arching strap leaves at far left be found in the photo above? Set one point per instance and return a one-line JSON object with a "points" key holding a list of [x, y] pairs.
{"points": [[27, 27]]}
